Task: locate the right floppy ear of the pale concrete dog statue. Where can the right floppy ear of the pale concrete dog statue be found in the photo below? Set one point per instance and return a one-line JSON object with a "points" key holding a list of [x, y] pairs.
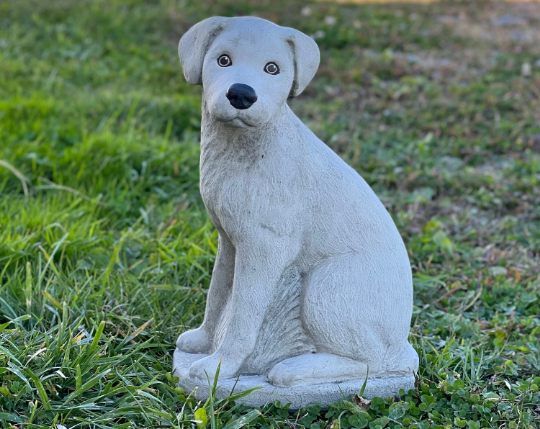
{"points": [[306, 57]]}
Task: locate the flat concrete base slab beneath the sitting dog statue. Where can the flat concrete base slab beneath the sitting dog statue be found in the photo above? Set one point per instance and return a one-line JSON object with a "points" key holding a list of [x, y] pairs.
{"points": [[297, 397]]}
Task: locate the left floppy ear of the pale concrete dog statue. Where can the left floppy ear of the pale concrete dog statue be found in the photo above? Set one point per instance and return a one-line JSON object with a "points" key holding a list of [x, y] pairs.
{"points": [[194, 45]]}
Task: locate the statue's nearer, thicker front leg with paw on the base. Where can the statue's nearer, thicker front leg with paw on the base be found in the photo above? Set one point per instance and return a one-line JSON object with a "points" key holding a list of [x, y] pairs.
{"points": [[259, 267]]}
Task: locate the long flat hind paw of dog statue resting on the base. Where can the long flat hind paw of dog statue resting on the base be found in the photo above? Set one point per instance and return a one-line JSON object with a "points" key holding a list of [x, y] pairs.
{"points": [[315, 368]]}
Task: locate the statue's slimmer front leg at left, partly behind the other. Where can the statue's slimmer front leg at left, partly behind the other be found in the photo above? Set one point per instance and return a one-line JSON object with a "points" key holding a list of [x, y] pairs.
{"points": [[200, 340]]}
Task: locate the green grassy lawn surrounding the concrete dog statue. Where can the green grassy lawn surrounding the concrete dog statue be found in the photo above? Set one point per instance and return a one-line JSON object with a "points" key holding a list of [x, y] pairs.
{"points": [[106, 250]]}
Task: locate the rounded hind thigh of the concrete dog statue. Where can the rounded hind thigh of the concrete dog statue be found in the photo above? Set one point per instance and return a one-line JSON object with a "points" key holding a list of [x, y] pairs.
{"points": [[360, 308]]}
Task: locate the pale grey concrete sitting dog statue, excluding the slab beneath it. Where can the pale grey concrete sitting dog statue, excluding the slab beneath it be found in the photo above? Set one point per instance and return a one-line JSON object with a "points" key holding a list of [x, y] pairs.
{"points": [[312, 282]]}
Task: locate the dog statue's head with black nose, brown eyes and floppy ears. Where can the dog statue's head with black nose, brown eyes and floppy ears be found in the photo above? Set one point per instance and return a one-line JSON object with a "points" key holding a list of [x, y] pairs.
{"points": [[248, 67]]}
